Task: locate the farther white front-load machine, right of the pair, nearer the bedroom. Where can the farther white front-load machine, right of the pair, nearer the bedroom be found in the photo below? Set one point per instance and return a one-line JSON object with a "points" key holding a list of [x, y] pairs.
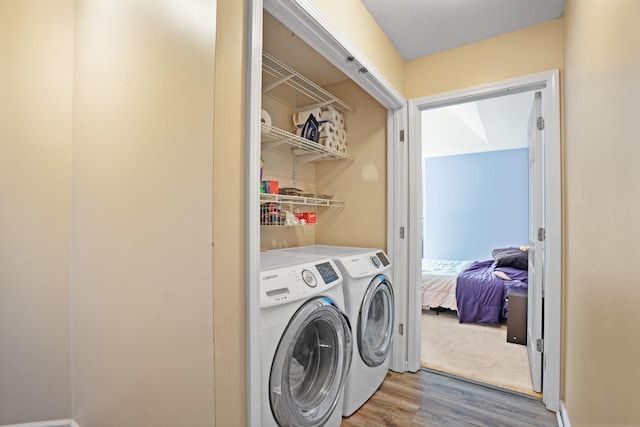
{"points": [[369, 301]]}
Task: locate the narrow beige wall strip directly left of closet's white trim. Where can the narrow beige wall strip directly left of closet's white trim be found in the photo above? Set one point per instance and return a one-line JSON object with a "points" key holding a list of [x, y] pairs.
{"points": [[228, 212]]}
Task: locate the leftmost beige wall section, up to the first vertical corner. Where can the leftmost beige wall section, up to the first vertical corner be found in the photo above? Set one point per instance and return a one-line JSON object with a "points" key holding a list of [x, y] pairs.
{"points": [[36, 59]]}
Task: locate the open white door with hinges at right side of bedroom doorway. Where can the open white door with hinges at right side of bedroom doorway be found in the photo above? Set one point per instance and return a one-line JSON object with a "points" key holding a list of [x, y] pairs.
{"points": [[536, 243]]}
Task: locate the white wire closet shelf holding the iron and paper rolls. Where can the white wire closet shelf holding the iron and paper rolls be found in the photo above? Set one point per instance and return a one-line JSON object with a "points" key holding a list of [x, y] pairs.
{"points": [[305, 150]]}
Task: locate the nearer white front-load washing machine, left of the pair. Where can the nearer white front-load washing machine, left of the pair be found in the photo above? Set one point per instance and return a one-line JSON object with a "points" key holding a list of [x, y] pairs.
{"points": [[306, 341]]}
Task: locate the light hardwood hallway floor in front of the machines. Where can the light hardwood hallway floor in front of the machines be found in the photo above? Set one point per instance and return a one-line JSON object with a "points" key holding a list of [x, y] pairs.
{"points": [[428, 398]]}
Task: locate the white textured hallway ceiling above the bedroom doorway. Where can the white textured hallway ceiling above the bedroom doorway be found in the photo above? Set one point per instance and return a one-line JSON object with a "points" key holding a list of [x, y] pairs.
{"points": [[423, 27]]}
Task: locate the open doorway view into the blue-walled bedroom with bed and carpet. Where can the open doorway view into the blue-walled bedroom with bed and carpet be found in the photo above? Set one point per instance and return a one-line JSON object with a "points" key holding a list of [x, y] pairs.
{"points": [[475, 170]]}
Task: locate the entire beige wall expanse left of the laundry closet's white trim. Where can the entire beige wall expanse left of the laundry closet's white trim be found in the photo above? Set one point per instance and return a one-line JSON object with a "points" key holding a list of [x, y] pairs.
{"points": [[143, 143]]}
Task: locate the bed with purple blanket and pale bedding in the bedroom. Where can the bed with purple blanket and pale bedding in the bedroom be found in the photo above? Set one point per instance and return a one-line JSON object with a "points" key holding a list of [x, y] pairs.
{"points": [[477, 290]]}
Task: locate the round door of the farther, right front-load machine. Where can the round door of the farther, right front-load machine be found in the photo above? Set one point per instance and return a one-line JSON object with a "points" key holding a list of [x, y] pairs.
{"points": [[375, 322]]}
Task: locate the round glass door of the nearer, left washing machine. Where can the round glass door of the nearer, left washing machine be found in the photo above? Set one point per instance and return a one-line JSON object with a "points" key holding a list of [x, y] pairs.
{"points": [[310, 365]]}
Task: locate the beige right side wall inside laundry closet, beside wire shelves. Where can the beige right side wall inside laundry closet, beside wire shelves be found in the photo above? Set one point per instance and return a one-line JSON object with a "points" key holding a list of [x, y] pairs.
{"points": [[361, 182]]}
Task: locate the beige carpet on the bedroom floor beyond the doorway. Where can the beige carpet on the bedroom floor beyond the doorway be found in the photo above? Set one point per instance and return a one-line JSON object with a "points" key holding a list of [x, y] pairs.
{"points": [[475, 351]]}
